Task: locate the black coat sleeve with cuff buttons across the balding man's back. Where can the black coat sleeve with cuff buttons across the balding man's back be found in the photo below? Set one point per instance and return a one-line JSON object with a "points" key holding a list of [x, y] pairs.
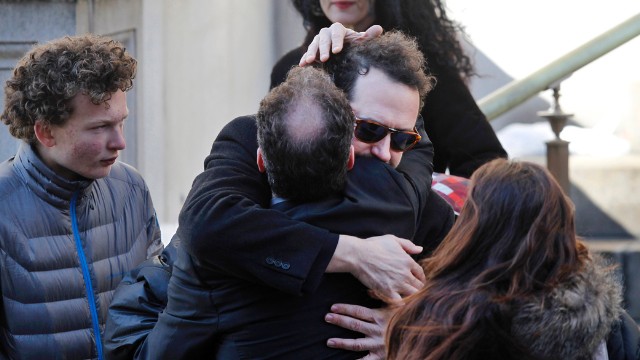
{"points": [[225, 221]]}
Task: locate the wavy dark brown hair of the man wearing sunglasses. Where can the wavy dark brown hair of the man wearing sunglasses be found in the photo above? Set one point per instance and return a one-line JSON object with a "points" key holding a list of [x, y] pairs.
{"points": [[394, 53]]}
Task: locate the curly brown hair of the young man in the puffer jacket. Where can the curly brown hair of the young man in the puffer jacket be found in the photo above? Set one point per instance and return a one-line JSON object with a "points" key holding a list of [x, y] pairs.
{"points": [[49, 76]]}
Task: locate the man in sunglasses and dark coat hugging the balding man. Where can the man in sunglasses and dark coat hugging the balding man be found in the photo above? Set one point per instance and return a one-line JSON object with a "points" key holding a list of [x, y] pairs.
{"points": [[225, 221]]}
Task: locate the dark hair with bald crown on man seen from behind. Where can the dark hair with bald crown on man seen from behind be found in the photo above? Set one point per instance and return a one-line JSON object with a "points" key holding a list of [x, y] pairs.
{"points": [[305, 127]]}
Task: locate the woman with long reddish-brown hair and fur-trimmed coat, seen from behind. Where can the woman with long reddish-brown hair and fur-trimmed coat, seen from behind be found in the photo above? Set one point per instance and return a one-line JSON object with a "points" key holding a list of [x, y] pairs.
{"points": [[512, 281]]}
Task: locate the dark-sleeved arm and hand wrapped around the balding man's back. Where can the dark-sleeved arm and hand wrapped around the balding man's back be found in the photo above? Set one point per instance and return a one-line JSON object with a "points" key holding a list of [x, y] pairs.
{"points": [[225, 224]]}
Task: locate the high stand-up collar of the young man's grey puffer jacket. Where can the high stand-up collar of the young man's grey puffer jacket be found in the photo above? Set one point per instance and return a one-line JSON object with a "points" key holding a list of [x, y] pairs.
{"points": [[44, 182]]}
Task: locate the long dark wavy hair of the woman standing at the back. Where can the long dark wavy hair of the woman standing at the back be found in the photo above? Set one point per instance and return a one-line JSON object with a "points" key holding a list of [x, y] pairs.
{"points": [[426, 20]]}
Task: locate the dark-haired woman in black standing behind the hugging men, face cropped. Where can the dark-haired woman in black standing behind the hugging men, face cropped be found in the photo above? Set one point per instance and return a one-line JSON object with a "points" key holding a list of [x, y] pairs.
{"points": [[462, 137]]}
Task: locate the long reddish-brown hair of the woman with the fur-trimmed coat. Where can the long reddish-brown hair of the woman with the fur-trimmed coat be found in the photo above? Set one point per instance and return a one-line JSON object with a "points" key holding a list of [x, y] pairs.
{"points": [[515, 237]]}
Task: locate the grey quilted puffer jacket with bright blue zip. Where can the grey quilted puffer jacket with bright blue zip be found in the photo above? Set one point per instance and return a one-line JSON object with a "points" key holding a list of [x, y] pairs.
{"points": [[45, 308]]}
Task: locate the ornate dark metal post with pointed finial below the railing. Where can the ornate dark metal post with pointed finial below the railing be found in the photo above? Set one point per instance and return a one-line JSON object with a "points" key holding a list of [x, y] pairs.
{"points": [[558, 149]]}
